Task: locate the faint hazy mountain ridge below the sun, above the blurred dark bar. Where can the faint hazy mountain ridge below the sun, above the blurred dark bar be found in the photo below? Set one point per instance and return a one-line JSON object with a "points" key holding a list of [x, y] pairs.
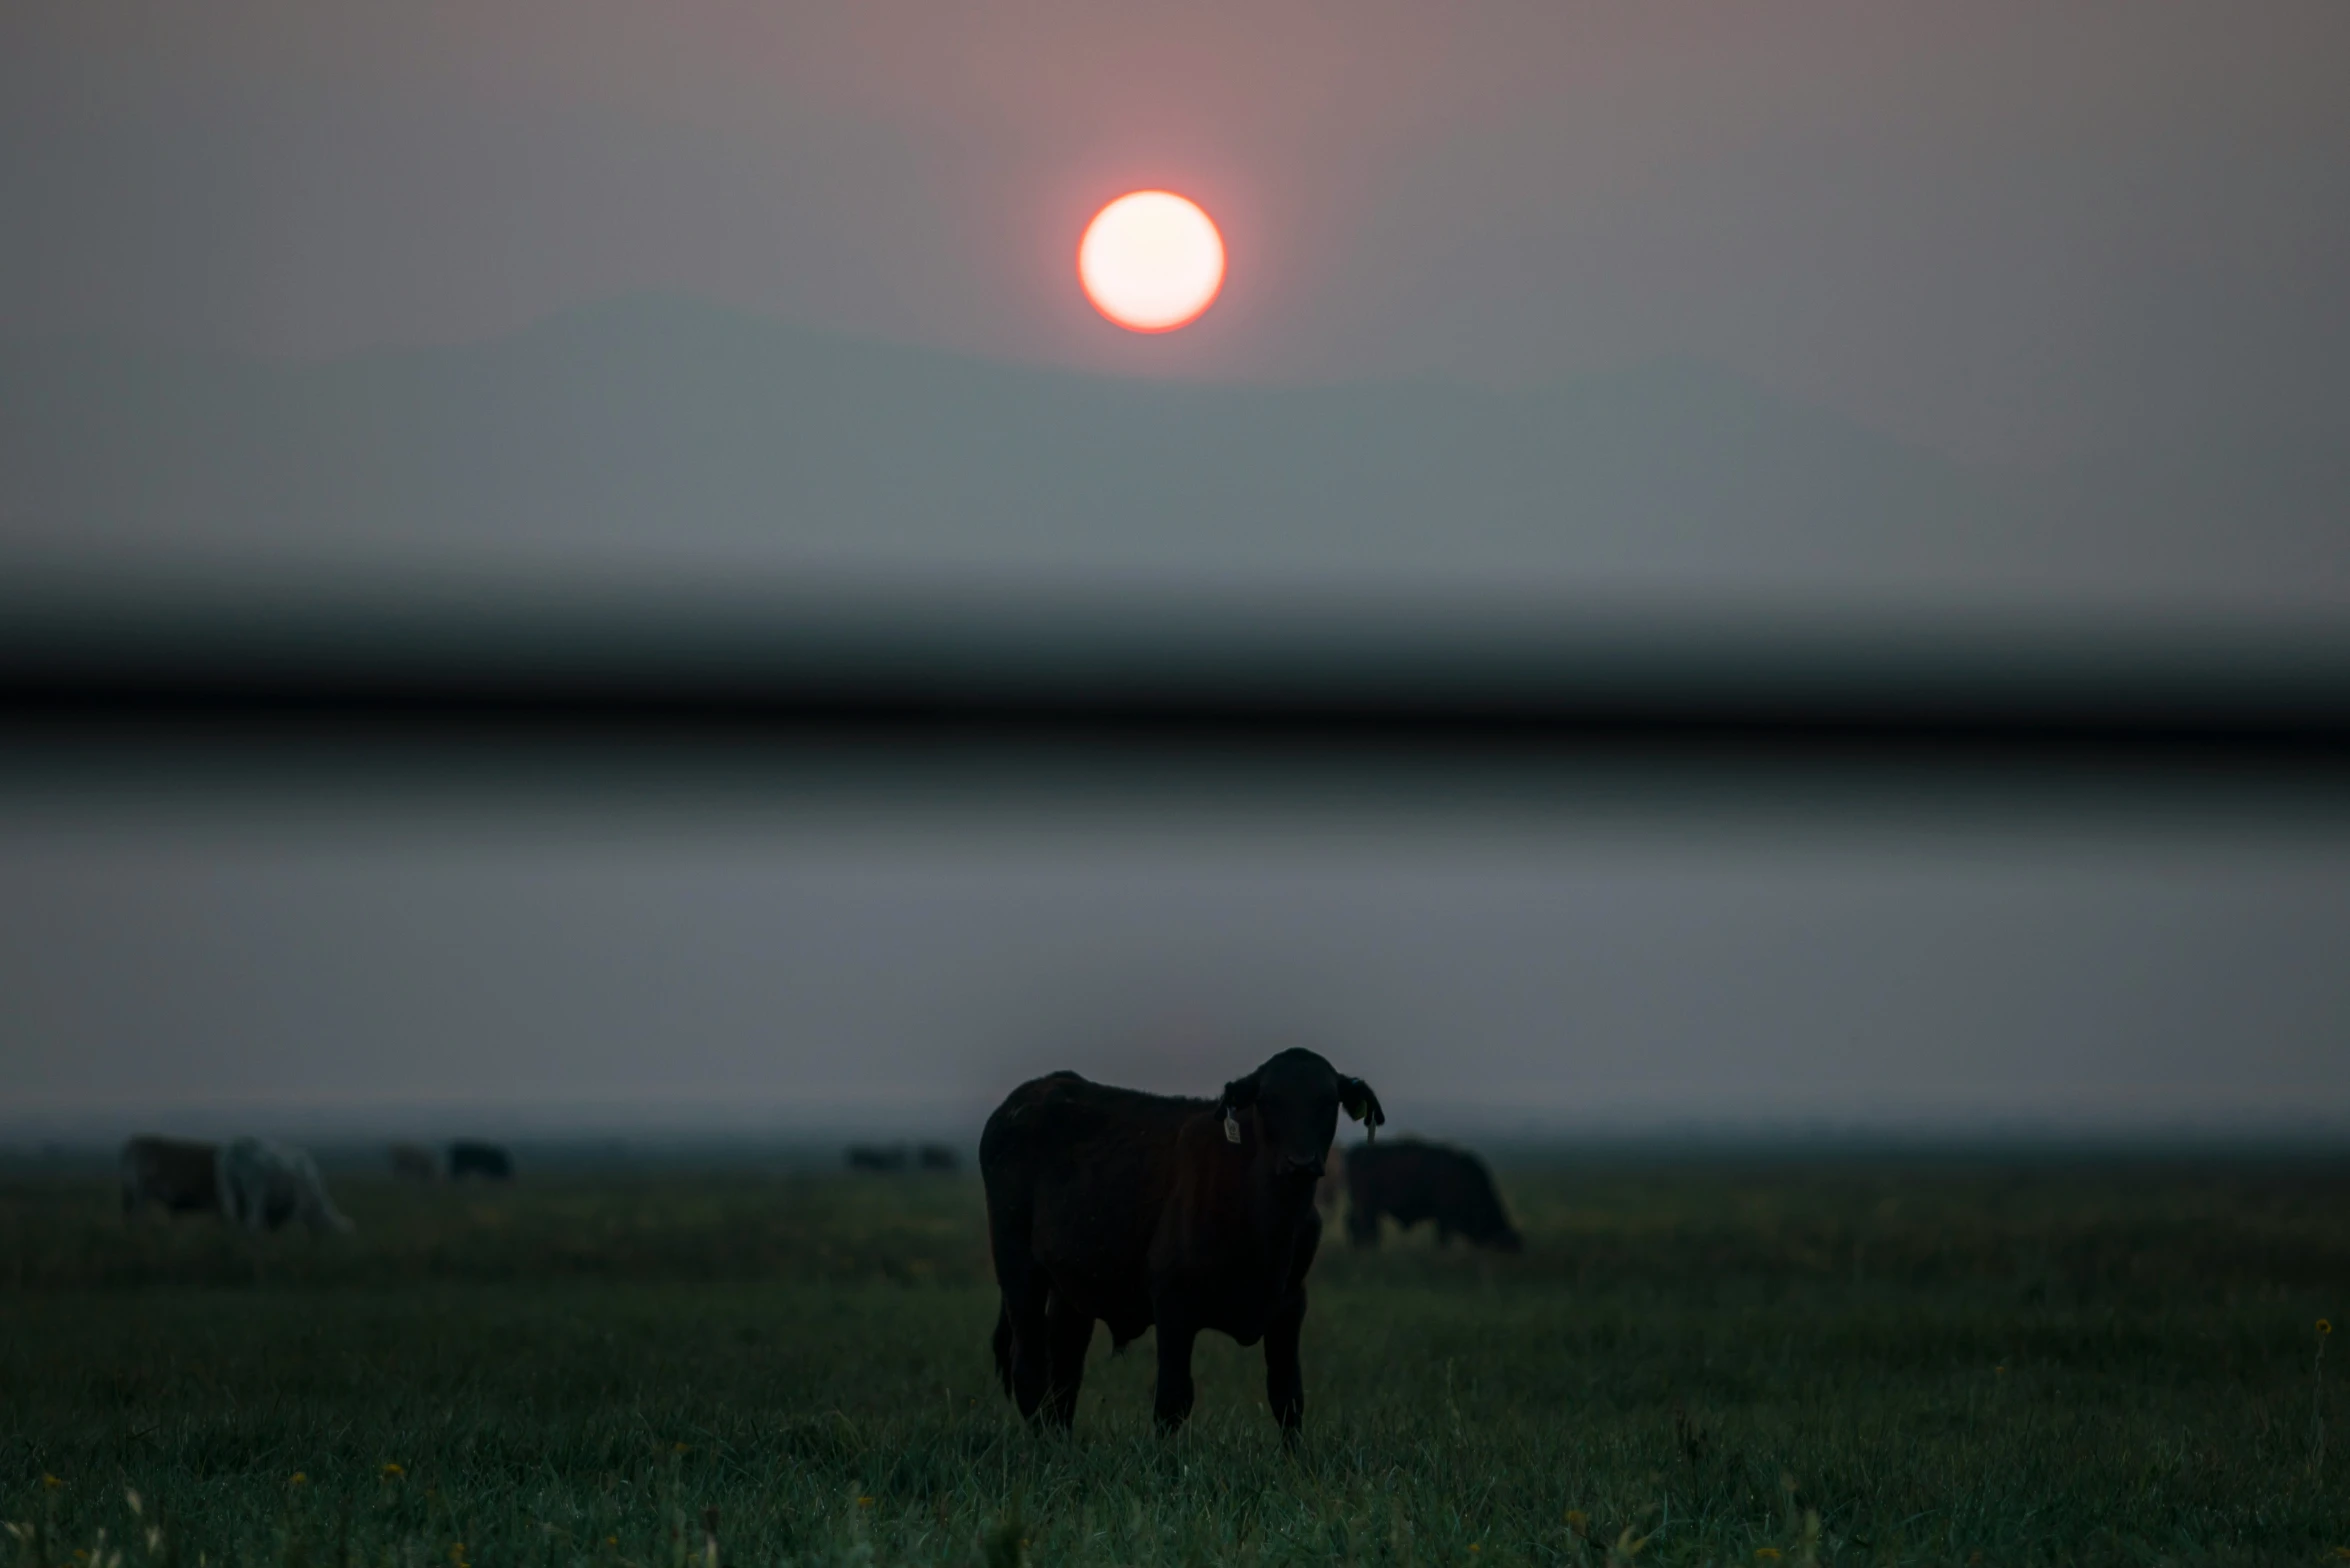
{"points": [[659, 429]]}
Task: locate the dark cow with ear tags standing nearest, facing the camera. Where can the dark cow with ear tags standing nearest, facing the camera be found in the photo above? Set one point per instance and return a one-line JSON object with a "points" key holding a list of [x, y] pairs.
{"points": [[1146, 1209]]}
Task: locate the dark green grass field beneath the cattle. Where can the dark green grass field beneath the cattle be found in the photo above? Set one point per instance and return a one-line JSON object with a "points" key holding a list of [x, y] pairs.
{"points": [[1696, 1362]]}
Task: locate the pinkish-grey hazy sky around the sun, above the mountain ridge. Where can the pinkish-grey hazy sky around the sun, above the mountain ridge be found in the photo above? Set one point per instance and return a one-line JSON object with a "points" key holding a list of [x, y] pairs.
{"points": [[1999, 229]]}
